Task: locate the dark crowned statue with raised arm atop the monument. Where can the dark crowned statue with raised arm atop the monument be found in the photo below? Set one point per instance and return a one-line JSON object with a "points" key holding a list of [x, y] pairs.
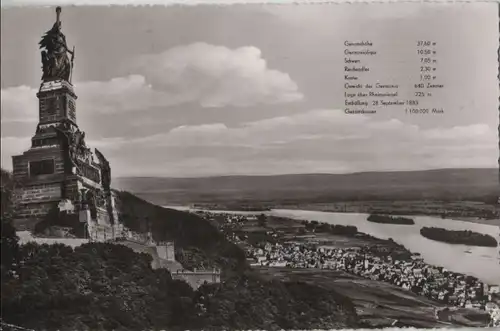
{"points": [[55, 62]]}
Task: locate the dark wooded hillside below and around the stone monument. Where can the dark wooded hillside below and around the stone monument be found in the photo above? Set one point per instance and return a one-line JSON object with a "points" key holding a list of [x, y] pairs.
{"points": [[103, 286]]}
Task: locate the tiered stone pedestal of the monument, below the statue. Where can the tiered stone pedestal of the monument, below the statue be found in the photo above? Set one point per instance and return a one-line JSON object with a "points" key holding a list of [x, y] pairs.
{"points": [[59, 170]]}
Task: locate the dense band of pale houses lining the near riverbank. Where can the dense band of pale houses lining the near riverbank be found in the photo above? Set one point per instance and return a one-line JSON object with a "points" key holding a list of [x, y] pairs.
{"points": [[433, 282]]}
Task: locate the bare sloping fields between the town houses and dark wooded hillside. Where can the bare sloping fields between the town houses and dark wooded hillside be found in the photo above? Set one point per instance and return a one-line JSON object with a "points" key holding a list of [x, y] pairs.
{"points": [[377, 303]]}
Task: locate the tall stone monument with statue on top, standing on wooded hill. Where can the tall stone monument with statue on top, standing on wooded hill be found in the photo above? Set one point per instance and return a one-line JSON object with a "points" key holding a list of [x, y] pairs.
{"points": [[61, 181]]}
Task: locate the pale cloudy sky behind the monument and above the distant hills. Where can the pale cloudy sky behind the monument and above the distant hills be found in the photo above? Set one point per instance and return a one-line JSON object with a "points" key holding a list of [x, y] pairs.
{"points": [[255, 89]]}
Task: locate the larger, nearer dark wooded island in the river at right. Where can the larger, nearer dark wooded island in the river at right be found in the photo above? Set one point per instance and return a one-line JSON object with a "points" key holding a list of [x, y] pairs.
{"points": [[458, 237]]}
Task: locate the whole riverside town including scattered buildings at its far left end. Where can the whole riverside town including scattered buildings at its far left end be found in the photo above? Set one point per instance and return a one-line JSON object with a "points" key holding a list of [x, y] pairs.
{"points": [[413, 274]]}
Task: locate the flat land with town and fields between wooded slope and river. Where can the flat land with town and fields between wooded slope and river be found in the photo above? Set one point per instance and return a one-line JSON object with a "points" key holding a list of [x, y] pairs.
{"points": [[356, 264]]}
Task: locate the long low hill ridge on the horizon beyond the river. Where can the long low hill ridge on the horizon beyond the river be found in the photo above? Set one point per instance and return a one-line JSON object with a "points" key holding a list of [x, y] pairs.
{"points": [[441, 184]]}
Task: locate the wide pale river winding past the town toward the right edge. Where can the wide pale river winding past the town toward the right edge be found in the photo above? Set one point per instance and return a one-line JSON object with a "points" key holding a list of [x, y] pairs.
{"points": [[481, 262]]}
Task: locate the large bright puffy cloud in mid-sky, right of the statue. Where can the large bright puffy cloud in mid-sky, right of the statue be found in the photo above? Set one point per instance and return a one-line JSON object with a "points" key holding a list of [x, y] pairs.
{"points": [[218, 76]]}
